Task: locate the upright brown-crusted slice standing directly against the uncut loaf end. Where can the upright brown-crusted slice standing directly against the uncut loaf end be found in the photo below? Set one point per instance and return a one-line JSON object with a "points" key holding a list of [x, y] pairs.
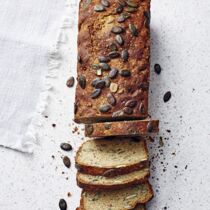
{"points": [[122, 128]]}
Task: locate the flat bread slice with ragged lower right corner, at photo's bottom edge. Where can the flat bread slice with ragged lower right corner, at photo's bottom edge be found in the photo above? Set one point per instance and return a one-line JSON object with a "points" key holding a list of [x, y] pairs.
{"points": [[123, 199]]}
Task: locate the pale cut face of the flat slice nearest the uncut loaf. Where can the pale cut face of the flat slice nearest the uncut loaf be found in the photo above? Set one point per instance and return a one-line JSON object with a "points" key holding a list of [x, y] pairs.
{"points": [[112, 153]]}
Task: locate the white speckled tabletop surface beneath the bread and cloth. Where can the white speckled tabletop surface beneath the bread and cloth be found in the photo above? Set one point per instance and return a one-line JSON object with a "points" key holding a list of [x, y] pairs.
{"points": [[181, 44]]}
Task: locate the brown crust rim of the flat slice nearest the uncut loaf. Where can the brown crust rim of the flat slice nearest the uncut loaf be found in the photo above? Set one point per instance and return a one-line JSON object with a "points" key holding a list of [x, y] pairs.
{"points": [[110, 172]]}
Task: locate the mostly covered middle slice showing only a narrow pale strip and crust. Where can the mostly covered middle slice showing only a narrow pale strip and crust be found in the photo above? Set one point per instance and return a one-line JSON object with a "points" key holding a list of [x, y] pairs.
{"points": [[90, 182]]}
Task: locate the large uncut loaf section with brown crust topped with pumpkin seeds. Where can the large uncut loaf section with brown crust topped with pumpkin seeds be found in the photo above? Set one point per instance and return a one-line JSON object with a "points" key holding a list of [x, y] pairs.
{"points": [[126, 98]]}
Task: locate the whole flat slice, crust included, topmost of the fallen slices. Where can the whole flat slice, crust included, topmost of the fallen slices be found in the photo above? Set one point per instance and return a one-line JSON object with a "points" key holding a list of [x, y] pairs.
{"points": [[112, 156]]}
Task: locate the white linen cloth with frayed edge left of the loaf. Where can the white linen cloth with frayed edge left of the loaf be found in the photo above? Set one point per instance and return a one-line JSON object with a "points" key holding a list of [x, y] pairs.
{"points": [[28, 31]]}
